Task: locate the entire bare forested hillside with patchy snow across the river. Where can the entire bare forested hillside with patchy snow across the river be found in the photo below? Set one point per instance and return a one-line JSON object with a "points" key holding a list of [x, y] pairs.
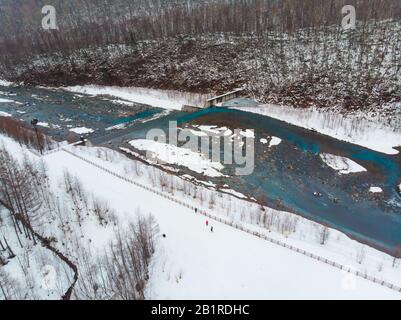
{"points": [[285, 52]]}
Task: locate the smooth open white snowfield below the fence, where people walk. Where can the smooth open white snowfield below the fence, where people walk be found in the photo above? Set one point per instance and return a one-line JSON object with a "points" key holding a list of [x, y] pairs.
{"points": [[194, 263]]}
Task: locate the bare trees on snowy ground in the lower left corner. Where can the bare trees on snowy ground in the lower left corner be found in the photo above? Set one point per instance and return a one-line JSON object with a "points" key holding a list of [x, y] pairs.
{"points": [[33, 213]]}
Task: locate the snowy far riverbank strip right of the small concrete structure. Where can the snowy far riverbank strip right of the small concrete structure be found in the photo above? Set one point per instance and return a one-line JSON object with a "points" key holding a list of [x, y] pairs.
{"points": [[353, 128]]}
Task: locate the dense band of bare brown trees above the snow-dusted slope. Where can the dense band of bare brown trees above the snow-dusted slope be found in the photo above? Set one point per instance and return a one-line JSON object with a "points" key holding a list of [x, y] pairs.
{"points": [[85, 23]]}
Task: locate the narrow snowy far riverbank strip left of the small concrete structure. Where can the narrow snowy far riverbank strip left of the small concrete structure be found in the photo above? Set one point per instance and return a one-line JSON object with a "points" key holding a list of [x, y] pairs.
{"points": [[166, 99]]}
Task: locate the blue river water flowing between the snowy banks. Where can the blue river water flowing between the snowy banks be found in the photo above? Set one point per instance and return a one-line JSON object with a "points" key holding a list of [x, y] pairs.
{"points": [[288, 175]]}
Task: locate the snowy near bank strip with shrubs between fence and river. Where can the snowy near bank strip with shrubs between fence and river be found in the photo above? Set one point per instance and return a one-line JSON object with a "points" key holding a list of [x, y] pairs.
{"points": [[286, 227]]}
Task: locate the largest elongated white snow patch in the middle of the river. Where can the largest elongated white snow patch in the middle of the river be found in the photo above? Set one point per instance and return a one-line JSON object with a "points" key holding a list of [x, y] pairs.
{"points": [[167, 153]]}
